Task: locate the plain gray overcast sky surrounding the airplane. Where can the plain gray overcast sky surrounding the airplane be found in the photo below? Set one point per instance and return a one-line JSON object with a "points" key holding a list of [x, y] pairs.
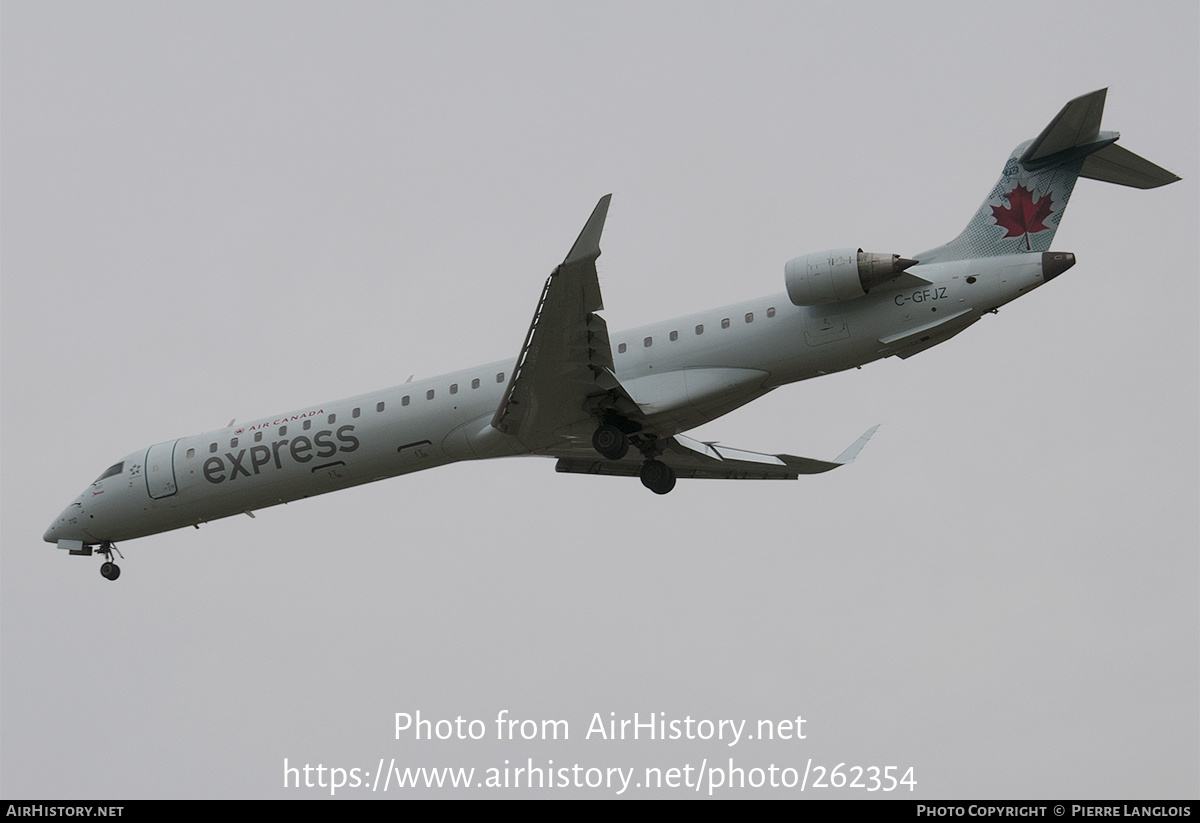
{"points": [[227, 211]]}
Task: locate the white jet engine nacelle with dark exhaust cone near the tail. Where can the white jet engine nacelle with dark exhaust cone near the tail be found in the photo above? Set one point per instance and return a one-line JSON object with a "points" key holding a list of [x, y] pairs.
{"points": [[838, 275]]}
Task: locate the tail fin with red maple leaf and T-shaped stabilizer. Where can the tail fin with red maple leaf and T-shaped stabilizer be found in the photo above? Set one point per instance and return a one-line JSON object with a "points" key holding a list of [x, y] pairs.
{"points": [[1023, 212]]}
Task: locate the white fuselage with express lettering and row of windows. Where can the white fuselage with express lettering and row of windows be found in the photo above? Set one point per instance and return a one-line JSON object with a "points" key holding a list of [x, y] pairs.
{"points": [[682, 374]]}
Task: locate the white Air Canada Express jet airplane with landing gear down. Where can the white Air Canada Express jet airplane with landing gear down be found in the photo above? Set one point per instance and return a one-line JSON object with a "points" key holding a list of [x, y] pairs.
{"points": [[620, 404]]}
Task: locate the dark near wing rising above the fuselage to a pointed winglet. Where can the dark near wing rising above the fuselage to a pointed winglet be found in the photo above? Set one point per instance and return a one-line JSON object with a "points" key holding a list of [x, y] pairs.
{"points": [[566, 367]]}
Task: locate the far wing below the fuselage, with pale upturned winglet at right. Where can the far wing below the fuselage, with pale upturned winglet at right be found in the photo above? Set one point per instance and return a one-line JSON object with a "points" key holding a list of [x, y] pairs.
{"points": [[693, 459]]}
